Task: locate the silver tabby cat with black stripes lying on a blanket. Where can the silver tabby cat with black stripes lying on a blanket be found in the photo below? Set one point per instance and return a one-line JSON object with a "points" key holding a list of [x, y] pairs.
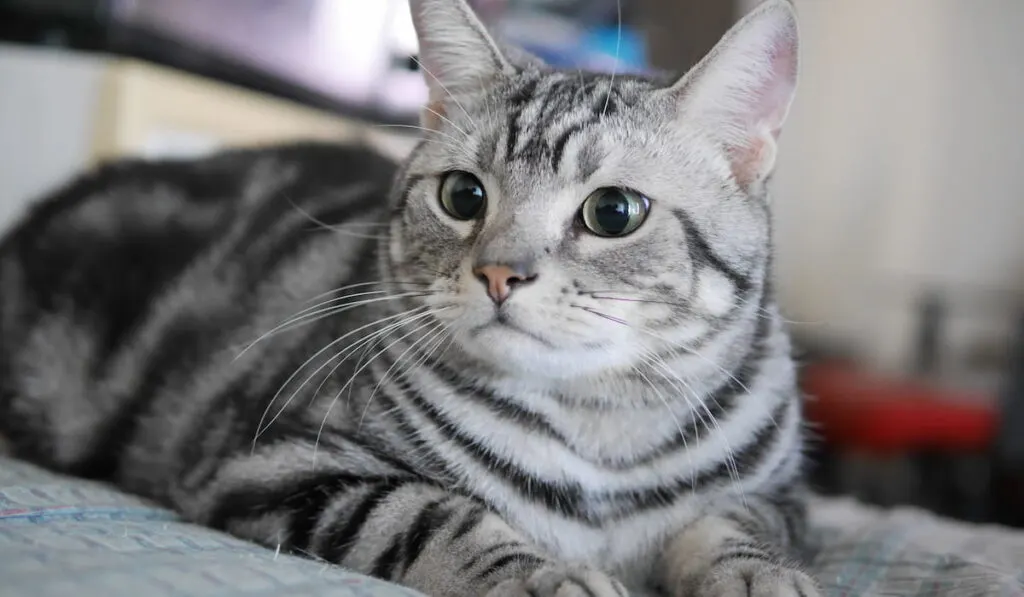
{"points": [[540, 357]]}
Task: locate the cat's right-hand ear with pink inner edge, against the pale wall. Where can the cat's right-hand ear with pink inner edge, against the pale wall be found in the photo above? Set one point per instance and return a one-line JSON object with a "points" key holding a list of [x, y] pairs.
{"points": [[741, 93]]}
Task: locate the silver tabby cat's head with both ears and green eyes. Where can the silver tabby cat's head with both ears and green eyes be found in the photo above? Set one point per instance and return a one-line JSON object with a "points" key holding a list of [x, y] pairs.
{"points": [[571, 223]]}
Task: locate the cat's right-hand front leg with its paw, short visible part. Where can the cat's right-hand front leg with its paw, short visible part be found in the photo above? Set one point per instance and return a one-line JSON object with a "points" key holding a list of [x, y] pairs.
{"points": [[743, 548]]}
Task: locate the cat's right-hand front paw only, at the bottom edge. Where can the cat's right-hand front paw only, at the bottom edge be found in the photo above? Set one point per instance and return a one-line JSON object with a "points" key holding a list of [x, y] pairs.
{"points": [[757, 579]]}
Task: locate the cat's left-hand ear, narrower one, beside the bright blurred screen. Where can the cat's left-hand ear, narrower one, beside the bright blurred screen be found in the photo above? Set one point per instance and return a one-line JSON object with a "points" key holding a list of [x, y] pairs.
{"points": [[457, 55]]}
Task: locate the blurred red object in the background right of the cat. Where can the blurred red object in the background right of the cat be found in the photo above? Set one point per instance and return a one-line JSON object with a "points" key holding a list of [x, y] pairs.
{"points": [[856, 410]]}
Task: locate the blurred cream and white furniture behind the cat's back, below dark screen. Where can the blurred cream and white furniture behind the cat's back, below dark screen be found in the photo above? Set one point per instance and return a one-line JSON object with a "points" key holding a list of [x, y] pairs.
{"points": [[63, 111]]}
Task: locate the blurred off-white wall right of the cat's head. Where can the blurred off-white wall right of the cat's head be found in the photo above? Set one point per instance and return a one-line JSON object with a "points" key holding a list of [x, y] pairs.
{"points": [[904, 166]]}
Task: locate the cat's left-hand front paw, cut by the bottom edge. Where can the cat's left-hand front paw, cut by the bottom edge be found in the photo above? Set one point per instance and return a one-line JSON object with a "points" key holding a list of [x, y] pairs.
{"points": [[562, 581]]}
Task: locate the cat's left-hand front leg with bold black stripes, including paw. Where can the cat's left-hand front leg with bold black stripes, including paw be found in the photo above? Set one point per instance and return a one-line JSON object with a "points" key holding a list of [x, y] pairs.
{"points": [[376, 517]]}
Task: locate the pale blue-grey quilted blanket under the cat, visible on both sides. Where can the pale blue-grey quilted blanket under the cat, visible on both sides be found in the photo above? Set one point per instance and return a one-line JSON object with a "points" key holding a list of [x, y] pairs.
{"points": [[62, 537]]}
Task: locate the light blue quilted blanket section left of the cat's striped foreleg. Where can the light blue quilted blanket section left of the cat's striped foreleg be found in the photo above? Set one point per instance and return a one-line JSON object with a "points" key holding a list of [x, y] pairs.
{"points": [[63, 538]]}
